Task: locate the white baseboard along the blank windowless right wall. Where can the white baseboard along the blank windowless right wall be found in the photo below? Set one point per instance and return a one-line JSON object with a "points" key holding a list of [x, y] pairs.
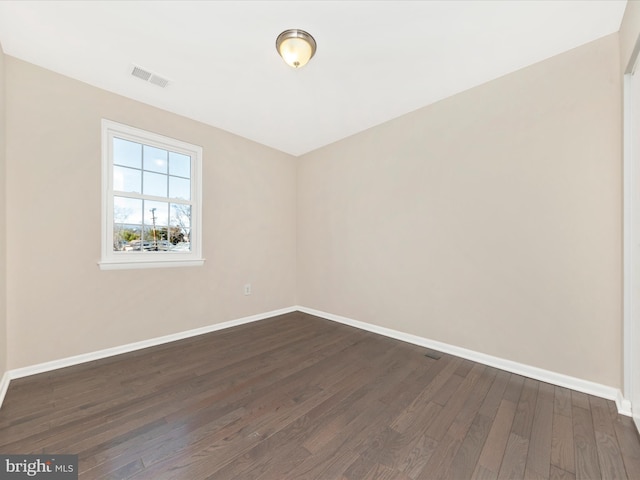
{"points": [[584, 386]]}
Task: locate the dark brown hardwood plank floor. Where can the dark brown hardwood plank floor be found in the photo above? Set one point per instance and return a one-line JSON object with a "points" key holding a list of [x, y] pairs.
{"points": [[298, 397]]}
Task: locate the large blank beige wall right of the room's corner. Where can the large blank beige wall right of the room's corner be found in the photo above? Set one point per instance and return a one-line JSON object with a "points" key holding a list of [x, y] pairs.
{"points": [[490, 220]]}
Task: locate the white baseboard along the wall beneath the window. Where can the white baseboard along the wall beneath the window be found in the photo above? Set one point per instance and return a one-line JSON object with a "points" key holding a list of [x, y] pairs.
{"points": [[130, 347]]}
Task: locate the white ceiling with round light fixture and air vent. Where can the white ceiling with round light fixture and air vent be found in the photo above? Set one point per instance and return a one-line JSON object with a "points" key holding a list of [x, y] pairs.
{"points": [[376, 60]]}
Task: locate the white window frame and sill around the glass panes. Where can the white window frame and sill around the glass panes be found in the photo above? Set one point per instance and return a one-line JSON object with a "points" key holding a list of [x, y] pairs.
{"points": [[127, 260]]}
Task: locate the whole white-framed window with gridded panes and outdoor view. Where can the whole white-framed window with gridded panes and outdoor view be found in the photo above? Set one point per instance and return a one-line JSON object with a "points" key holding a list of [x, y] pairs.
{"points": [[152, 198]]}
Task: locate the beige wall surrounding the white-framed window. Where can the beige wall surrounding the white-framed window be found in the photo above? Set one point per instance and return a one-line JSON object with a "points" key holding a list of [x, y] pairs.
{"points": [[59, 303]]}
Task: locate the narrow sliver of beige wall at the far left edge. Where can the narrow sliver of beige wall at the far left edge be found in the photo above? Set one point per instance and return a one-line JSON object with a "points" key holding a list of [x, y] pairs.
{"points": [[3, 265]]}
